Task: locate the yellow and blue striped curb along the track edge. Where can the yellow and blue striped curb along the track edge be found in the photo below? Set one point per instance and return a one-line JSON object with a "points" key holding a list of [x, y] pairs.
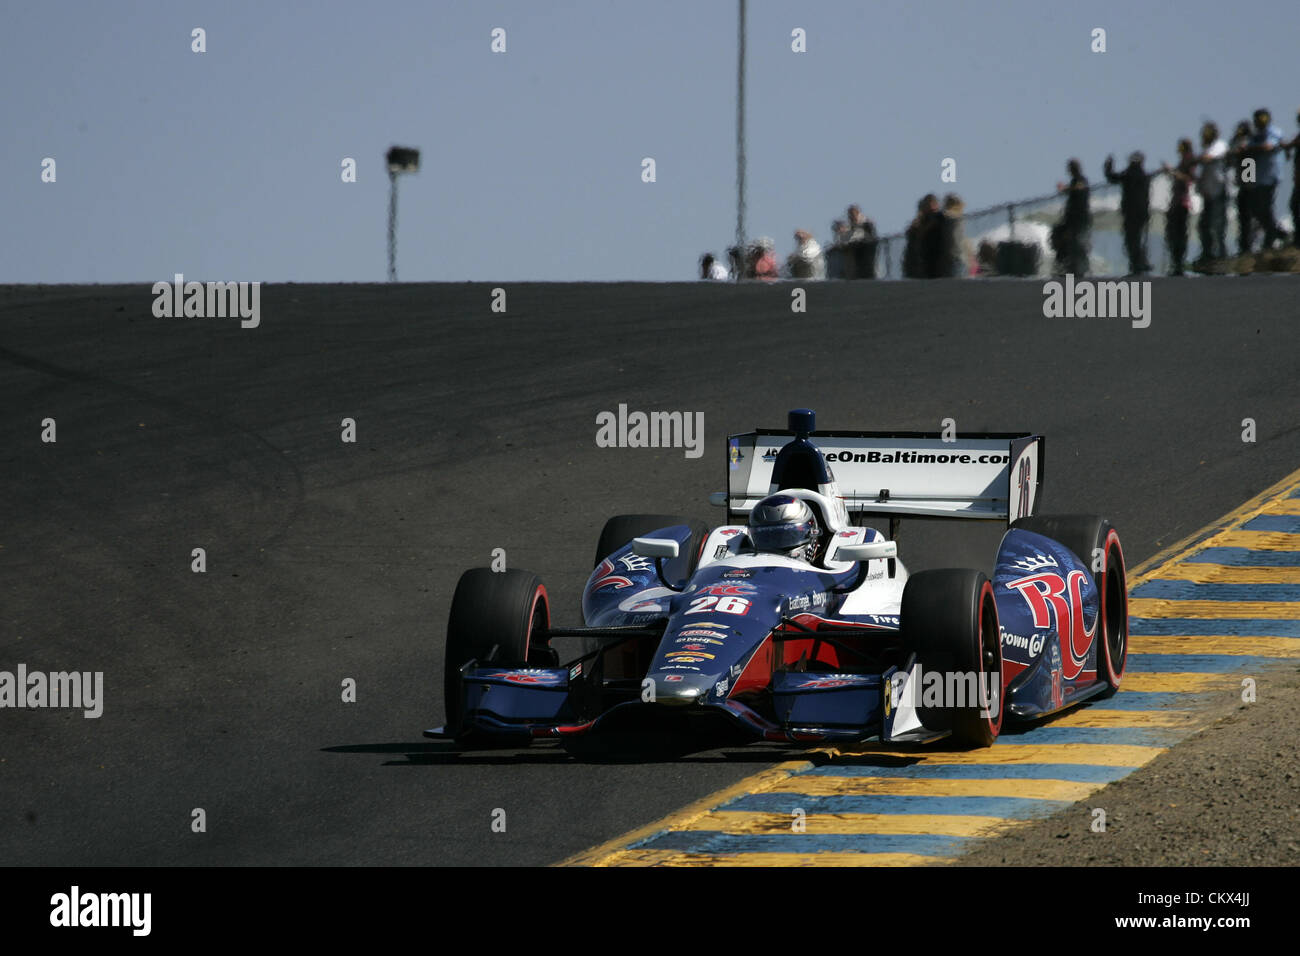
{"points": [[1224, 600]]}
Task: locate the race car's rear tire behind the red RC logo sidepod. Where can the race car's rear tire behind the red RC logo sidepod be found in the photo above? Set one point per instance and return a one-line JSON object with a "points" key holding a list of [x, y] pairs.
{"points": [[1093, 538]]}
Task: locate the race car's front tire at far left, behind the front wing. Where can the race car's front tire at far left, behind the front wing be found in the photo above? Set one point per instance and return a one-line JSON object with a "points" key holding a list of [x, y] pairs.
{"points": [[497, 617]]}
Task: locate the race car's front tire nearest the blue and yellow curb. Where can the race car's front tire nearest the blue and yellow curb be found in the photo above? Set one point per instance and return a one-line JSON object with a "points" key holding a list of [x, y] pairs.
{"points": [[950, 620]]}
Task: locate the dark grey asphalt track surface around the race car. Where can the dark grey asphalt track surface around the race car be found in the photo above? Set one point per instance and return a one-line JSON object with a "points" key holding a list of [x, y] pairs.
{"points": [[476, 431]]}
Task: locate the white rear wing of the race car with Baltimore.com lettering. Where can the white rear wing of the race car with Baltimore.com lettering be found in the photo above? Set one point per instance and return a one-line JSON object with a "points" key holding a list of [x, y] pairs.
{"points": [[982, 475]]}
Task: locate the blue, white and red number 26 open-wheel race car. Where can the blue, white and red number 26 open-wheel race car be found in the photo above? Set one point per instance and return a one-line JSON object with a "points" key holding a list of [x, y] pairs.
{"points": [[796, 621]]}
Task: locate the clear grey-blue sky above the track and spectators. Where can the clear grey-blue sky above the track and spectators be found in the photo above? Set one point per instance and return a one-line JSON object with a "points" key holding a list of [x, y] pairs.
{"points": [[227, 165]]}
